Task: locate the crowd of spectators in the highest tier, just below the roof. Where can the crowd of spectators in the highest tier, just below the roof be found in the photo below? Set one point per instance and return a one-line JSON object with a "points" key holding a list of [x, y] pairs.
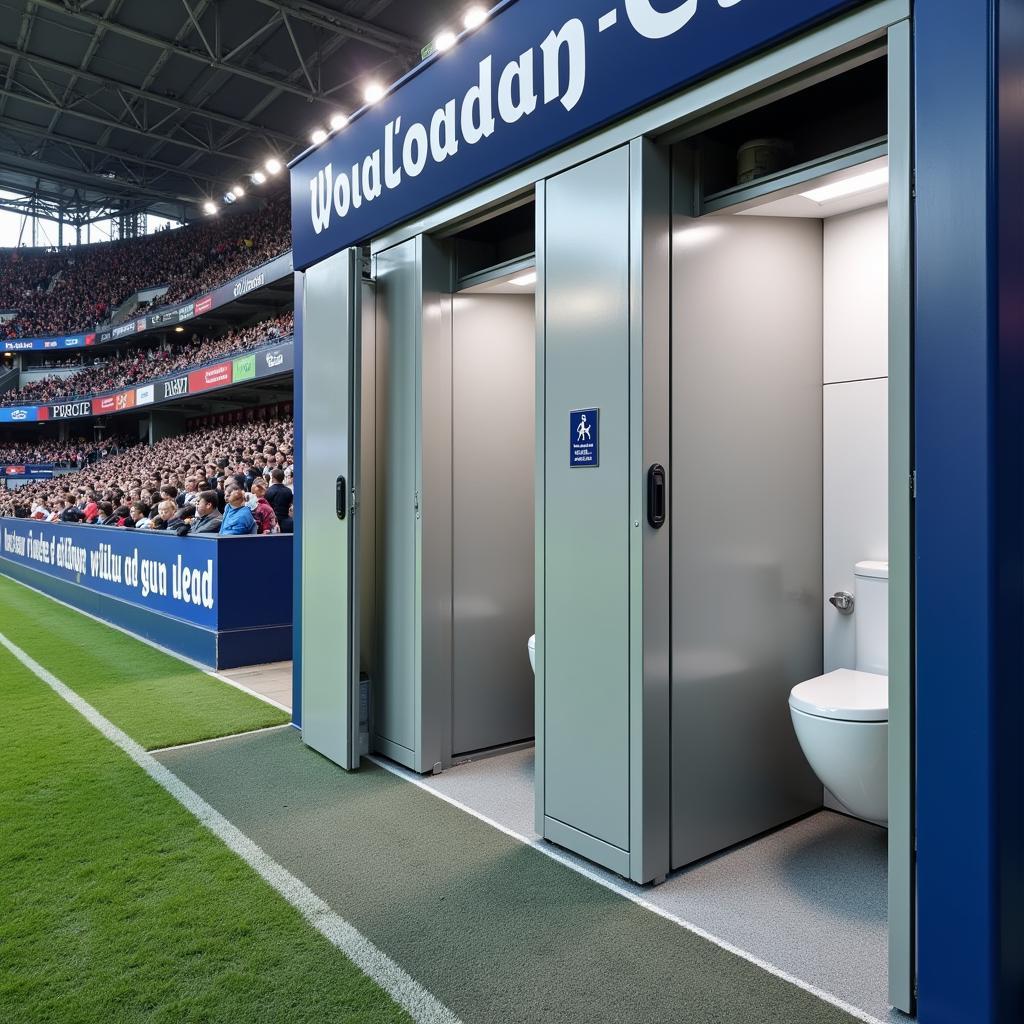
{"points": [[77, 288]]}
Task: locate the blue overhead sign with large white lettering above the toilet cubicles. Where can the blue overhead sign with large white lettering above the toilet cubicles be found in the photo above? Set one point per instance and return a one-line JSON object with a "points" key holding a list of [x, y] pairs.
{"points": [[529, 80]]}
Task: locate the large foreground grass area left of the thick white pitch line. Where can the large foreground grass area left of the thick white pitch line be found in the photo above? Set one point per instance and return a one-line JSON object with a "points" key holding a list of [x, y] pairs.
{"points": [[116, 906]]}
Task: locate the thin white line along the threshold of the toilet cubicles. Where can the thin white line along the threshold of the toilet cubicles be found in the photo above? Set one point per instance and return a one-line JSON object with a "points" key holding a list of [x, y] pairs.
{"points": [[595, 875]]}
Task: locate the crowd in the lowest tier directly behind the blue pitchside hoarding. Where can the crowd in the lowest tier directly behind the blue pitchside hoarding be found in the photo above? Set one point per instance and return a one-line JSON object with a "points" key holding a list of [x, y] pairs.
{"points": [[228, 481]]}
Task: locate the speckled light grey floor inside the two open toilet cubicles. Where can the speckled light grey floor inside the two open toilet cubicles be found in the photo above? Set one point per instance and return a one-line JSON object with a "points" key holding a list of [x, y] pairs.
{"points": [[809, 900]]}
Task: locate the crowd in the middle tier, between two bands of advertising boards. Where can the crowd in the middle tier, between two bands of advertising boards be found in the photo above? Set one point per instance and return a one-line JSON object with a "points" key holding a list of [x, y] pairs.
{"points": [[137, 366]]}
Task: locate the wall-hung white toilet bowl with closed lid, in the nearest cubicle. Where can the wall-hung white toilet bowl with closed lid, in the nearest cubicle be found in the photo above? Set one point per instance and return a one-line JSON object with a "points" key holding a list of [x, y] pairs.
{"points": [[842, 722]]}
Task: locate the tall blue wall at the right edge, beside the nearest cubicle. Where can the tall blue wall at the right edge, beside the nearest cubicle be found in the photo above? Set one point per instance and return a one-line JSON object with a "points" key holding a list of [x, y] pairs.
{"points": [[969, 394]]}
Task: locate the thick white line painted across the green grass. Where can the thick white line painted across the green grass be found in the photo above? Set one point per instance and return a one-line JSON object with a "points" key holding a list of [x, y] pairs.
{"points": [[406, 991]]}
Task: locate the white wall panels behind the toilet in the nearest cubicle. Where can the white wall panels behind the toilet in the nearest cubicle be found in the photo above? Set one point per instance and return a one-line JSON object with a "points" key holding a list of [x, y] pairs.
{"points": [[856, 387]]}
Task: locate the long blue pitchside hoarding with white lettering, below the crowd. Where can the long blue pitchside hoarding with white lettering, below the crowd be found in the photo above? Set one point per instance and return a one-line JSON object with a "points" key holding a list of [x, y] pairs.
{"points": [[188, 594]]}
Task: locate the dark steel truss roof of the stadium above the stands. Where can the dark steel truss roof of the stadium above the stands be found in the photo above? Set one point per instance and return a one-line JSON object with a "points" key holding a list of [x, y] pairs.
{"points": [[157, 106]]}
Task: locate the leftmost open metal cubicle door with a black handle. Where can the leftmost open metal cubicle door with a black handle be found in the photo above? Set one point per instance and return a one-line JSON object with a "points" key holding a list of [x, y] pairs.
{"points": [[329, 413]]}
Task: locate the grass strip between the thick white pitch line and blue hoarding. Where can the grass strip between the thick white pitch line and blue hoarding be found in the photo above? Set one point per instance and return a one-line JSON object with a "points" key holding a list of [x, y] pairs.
{"points": [[156, 699]]}
